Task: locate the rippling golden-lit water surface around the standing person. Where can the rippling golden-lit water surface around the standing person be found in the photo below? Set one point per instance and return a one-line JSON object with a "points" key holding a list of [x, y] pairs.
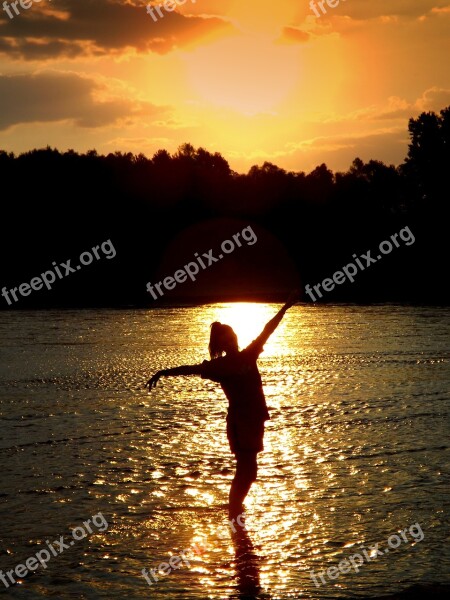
{"points": [[356, 450]]}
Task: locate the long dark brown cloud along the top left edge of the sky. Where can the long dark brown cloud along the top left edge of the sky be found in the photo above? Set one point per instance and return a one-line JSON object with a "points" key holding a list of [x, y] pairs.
{"points": [[69, 28]]}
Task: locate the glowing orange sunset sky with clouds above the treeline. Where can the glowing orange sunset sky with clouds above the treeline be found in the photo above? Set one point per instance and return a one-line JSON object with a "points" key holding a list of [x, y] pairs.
{"points": [[257, 80]]}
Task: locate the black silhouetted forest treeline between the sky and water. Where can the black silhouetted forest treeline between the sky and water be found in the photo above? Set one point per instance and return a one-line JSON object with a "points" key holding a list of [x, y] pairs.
{"points": [[59, 204]]}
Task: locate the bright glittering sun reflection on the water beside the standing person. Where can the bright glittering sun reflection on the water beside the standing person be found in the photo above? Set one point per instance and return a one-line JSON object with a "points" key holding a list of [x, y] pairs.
{"points": [[248, 320]]}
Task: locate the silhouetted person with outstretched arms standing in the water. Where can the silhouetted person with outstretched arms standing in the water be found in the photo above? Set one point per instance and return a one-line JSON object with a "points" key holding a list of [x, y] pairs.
{"points": [[238, 375]]}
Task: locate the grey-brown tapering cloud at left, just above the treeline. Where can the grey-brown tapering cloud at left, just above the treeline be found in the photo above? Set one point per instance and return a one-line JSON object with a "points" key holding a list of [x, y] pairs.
{"points": [[48, 97]]}
